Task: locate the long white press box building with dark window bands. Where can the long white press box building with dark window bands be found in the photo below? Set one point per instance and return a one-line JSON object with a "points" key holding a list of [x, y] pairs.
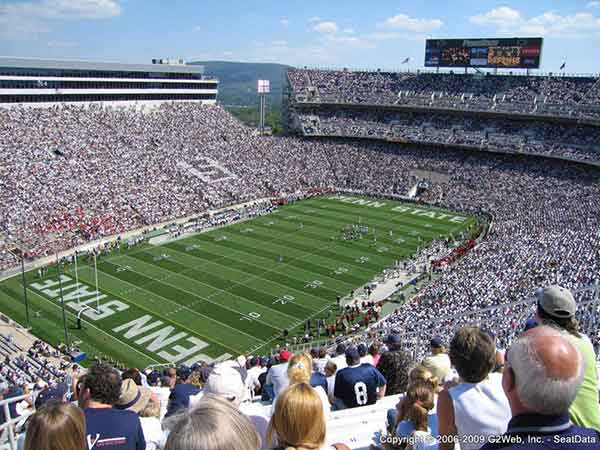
{"points": [[44, 82]]}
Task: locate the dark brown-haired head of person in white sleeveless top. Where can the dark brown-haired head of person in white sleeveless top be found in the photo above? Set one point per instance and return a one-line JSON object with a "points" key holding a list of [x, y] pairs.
{"points": [[473, 354]]}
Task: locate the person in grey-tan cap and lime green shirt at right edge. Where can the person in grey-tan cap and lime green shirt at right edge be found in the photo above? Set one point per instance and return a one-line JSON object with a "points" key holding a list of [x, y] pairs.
{"points": [[556, 307]]}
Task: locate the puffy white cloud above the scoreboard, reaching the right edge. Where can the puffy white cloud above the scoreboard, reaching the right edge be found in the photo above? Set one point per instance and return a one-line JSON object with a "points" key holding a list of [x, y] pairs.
{"points": [[549, 24]]}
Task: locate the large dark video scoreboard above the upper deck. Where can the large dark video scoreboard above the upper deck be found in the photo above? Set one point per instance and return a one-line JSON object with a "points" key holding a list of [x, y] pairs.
{"points": [[512, 53]]}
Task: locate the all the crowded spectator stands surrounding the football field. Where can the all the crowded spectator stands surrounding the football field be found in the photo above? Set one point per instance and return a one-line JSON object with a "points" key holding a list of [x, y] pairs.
{"points": [[423, 377]]}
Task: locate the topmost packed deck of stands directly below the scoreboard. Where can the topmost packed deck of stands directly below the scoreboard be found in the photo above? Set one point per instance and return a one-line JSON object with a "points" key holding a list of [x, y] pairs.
{"points": [[550, 95]]}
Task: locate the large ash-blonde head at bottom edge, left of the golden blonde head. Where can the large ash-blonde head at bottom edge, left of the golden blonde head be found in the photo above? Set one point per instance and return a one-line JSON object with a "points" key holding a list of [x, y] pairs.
{"points": [[214, 424]]}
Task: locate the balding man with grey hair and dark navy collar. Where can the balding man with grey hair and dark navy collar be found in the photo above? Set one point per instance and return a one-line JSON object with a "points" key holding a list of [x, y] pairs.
{"points": [[542, 374]]}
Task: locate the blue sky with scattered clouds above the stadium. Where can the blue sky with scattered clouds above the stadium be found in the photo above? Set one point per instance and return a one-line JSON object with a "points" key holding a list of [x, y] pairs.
{"points": [[334, 33]]}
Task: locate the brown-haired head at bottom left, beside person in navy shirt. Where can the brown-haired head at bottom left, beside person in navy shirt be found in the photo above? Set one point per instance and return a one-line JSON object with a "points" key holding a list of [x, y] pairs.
{"points": [[56, 426]]}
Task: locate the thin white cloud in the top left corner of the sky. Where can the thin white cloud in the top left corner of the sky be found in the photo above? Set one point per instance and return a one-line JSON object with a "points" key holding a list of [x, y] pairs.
{"points": [[28, 19]]}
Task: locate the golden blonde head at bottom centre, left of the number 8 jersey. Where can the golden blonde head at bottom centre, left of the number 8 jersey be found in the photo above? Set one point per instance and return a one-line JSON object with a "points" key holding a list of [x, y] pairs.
{"points": [[298, 420]]}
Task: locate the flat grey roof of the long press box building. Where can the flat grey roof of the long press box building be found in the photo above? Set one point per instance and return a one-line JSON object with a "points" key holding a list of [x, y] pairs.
{"points": [[31, 63]]}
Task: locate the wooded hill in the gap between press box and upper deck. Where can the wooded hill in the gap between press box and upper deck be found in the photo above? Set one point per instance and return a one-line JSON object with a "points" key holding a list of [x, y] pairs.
{"points": [[238, 81]]}
